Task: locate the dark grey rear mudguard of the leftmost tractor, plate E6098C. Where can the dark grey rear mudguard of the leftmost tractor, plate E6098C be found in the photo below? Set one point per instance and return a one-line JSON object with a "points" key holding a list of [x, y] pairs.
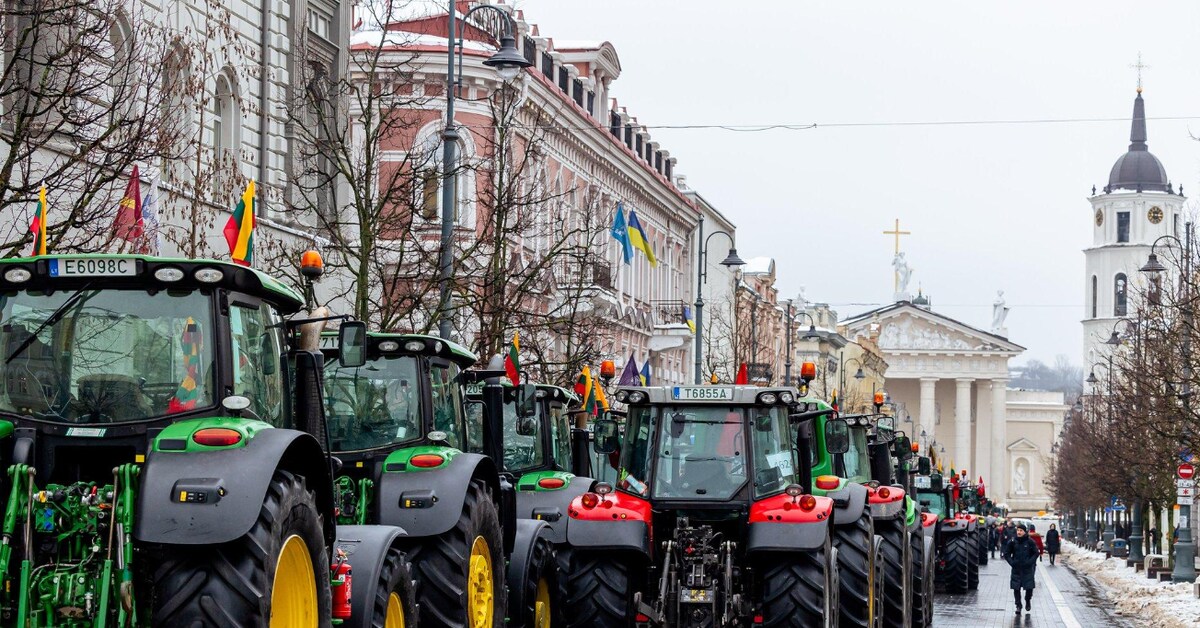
{"points": [[215, 497]]}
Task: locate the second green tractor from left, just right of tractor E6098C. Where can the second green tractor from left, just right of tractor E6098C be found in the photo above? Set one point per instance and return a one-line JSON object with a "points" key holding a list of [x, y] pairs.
{"points": [[415, 456]]}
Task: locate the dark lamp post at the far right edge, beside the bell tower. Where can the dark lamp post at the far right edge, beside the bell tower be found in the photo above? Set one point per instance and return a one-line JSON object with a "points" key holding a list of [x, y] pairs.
{"points": [[1185, 548]]}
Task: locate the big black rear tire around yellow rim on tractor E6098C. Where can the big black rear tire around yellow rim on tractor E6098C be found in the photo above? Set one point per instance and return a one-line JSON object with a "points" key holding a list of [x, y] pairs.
{"points": [[231, 585]]}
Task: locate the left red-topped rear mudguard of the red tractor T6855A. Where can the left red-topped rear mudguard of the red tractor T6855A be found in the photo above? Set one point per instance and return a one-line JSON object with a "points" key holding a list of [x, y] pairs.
{"points": [[620, 523]]}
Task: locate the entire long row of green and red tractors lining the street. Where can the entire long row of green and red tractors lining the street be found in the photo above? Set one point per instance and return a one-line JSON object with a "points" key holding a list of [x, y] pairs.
{"points": [[187, 446]]}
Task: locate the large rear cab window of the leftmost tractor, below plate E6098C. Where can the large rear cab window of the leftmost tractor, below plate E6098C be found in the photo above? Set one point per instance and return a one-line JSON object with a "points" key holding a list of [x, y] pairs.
{"points": [[105, 356]]}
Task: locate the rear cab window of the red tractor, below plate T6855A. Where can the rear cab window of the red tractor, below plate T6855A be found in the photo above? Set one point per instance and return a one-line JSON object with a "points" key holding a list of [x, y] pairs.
{"points": [[699, 452]]}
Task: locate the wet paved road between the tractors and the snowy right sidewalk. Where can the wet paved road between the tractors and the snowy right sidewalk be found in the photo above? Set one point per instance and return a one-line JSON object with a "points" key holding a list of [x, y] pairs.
{"points": [[1060, 600]]}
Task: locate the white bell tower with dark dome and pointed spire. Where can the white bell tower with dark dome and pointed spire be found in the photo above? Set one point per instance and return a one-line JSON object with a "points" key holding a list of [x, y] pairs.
{"points": [[1138, 206]]}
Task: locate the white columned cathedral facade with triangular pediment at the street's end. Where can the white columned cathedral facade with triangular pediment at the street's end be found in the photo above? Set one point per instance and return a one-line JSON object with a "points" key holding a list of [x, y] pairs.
{"points": [[952, 378]]}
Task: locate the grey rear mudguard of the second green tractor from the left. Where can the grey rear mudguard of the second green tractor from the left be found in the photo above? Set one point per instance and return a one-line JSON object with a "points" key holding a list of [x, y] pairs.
{"points": [[428, 503]]}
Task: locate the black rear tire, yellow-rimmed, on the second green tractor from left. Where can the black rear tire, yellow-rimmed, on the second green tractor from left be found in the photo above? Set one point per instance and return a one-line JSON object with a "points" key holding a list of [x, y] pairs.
{"points": [[442, 564]]}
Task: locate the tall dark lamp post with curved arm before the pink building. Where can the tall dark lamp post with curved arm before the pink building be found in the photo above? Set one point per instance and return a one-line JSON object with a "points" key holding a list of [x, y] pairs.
{"points": [[508, 64]]}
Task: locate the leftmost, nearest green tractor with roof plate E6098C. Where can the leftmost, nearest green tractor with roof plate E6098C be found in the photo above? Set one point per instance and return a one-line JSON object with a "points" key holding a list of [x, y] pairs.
{"points": [[166, 454]]}
